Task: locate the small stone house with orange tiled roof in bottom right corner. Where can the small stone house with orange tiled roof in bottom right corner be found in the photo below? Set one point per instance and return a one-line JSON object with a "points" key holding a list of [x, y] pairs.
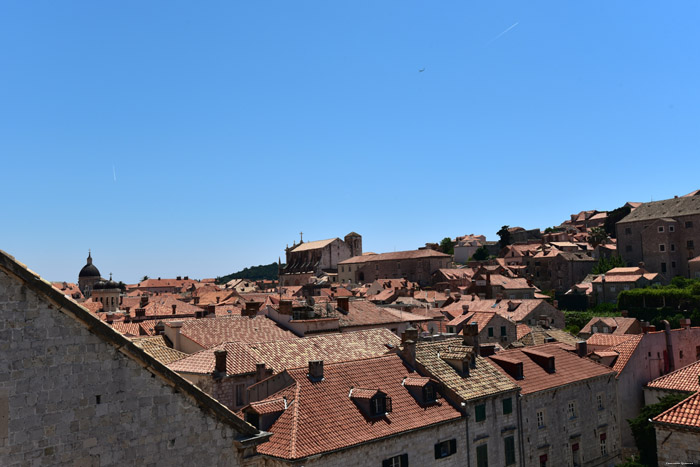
{"points": [[678, 433]]}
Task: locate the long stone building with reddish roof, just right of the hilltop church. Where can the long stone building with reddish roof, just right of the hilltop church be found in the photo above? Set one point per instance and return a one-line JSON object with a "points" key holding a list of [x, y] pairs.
{"points": [[414, 265]]}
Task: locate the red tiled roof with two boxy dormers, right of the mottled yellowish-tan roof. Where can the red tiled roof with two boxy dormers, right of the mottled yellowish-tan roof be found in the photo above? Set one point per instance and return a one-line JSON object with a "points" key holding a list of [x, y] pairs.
{"points": [[569, 367]]}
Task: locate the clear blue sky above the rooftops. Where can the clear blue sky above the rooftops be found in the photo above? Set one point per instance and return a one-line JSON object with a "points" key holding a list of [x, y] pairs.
{"points": [[198, 138]]}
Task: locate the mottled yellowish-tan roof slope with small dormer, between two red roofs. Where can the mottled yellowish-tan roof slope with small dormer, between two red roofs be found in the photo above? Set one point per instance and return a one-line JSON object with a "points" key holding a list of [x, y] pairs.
{"points": [[483, 381]]}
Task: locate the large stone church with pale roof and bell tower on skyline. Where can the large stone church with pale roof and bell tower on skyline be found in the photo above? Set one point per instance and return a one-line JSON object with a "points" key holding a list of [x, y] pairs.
{"points": [[307, 260]]}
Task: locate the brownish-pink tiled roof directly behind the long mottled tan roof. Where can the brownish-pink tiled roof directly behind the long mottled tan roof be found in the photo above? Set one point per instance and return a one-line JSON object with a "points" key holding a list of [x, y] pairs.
{"points": [[209, 332]]}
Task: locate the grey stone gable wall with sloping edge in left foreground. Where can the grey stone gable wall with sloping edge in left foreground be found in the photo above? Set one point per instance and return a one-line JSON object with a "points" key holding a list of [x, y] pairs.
{"points": [[76, 392]]}
